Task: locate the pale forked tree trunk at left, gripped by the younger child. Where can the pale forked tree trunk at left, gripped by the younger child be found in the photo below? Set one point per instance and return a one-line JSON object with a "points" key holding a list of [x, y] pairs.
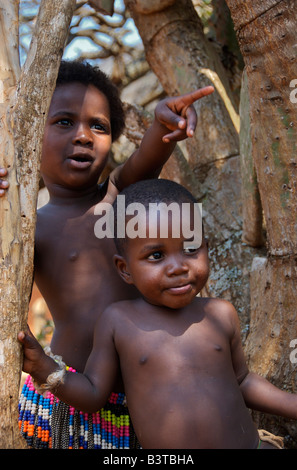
{"points": [[23, 112]]}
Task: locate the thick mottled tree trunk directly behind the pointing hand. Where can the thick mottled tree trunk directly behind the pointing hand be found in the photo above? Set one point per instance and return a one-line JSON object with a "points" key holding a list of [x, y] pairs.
{"points": [[183, 59]]}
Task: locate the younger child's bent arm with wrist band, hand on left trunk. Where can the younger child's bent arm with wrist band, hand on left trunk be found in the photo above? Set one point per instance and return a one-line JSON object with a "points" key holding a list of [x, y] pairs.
{"points": [[87, 392]]}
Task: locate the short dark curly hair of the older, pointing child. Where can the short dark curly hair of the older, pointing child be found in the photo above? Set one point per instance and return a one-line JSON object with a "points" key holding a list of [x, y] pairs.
{"points": [[85, 73]]}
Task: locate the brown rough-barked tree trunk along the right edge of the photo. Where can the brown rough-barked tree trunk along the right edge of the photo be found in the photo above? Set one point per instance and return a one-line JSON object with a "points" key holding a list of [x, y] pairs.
{"points": [[266, 32]]}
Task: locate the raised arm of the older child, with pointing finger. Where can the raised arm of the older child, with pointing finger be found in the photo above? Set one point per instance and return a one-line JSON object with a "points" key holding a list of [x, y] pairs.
{"points": [[175, 120]]}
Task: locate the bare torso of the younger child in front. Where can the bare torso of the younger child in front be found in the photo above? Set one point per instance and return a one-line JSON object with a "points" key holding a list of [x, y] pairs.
{"points": [[179, 379]]}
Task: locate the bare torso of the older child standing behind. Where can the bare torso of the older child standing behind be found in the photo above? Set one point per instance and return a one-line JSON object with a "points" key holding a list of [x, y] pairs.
{"points": [[75, 273]]}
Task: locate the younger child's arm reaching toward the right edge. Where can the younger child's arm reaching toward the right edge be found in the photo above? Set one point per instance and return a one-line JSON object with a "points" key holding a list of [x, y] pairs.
{"points": [[258, 393]]}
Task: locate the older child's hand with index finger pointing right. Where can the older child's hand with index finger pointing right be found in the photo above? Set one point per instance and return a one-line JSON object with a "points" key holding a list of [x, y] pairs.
{"points": [[178, 114]]}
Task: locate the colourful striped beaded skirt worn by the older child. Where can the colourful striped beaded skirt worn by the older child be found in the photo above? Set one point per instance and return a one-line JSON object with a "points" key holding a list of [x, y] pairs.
{"points": [[46, 422]]}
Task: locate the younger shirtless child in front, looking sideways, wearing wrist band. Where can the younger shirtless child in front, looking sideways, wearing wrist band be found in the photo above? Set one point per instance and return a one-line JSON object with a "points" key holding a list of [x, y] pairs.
{"points": [[179, 354]]}
